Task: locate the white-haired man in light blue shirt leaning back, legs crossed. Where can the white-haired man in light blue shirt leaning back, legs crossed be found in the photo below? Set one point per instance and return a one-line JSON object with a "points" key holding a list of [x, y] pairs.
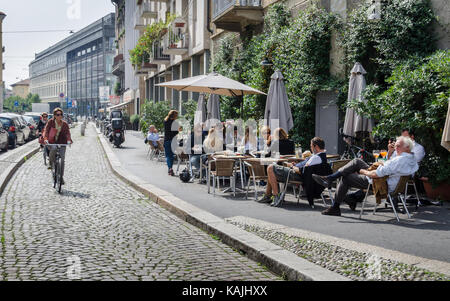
{"points": [[355, 173]]}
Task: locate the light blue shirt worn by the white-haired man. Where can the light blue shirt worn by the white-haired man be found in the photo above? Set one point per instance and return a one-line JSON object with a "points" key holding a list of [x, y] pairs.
{"points": [[403, 165]]}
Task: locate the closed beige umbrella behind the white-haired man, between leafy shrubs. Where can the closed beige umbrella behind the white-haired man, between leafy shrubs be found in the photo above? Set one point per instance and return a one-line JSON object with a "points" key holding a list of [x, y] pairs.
{"points": [[354, 122]]}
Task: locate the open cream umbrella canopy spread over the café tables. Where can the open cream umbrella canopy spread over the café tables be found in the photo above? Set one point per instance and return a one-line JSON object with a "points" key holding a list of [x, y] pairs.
{"points": [[212, 83]]}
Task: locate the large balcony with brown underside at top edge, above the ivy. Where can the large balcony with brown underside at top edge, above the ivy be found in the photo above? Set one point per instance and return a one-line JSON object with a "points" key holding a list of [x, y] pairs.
{"points": [[234, 15]]}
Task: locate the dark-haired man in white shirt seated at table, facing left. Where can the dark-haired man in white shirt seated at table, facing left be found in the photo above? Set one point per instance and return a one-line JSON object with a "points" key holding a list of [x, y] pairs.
{"points": [[279, 173]]}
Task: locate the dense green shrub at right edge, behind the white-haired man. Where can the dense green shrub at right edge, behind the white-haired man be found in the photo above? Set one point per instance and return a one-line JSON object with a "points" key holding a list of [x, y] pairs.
{"points": [[417, 97]]}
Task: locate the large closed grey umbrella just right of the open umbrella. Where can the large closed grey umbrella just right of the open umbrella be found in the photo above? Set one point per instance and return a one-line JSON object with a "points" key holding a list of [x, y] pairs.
{"points": [[278, 111]]}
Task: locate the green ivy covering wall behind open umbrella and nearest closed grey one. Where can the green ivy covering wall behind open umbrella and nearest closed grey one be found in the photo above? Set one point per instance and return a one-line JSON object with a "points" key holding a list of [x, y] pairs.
{"points": [[299, 47]]}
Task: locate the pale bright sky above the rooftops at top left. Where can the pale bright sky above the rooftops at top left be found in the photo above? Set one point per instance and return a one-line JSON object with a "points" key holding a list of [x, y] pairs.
{"points": [[42, 16]]}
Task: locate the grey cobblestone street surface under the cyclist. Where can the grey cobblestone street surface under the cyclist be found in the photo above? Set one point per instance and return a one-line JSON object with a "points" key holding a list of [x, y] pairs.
{"points": [[102, 229]]}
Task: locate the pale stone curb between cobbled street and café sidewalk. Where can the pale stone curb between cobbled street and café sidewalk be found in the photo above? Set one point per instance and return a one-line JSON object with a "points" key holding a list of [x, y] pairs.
{"points": [[278, 260]]}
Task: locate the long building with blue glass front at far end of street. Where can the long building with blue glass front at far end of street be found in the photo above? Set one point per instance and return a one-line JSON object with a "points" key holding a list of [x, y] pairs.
{"points": [[76, 68]]}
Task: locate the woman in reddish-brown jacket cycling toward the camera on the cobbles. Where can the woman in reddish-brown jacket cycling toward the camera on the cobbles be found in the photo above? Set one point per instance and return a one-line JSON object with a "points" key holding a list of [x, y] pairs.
{"points": [[57, 132]]}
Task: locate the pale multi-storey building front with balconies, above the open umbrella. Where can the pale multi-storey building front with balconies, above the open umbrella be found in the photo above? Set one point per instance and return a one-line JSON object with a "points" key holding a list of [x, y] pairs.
{"points": [[182, 52]]}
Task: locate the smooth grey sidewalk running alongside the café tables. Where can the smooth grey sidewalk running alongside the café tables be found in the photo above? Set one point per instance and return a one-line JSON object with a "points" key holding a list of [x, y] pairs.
{"points": [[426, 235]]}
